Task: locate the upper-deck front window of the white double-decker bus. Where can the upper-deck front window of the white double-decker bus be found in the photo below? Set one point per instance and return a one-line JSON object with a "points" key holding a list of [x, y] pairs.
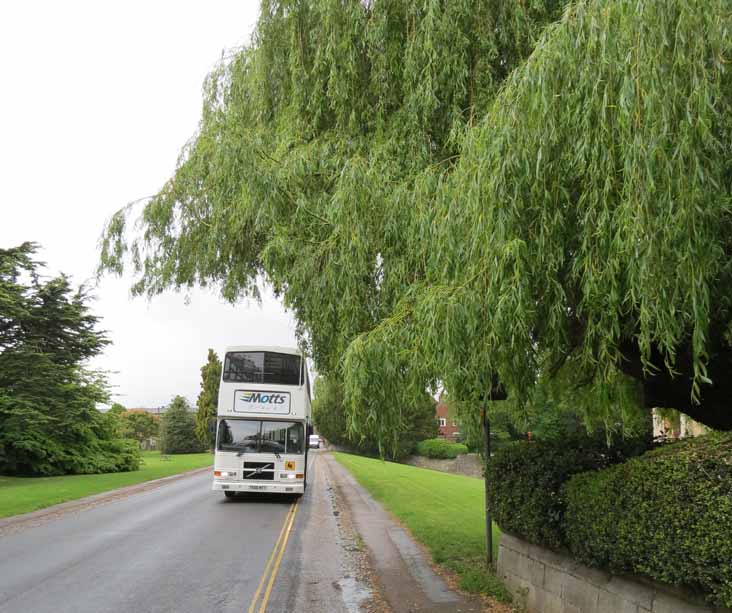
{"points": [[262, 367]]}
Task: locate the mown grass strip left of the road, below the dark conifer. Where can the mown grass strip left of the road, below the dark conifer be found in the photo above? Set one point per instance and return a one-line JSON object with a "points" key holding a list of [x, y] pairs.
{"points": [[24, 494]]}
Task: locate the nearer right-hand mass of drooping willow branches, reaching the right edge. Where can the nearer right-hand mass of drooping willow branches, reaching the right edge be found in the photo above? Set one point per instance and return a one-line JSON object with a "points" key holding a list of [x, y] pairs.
{"points": [[586, 228]]}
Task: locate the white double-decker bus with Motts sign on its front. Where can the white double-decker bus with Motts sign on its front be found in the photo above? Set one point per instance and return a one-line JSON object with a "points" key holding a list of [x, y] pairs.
{"points": [[263, 422]]}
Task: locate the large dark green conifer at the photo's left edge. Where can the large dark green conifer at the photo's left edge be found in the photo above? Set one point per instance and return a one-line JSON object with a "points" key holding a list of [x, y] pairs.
{"points": [[49, 424]]}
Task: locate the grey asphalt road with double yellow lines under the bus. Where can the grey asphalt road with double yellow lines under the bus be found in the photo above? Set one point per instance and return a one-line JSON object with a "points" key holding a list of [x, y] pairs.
{"points": [[179, 547]]}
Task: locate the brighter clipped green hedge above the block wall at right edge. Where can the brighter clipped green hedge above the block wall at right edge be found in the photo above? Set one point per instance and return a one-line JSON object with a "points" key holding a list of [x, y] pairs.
{"points": [[666, 515]]}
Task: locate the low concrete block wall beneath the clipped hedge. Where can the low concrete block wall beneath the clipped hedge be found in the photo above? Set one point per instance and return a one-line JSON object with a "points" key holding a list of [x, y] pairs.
{"points": [[543, 581]]}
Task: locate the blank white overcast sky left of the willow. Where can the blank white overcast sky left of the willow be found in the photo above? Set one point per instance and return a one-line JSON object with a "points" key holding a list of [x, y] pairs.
{"points": [[97, 100]]}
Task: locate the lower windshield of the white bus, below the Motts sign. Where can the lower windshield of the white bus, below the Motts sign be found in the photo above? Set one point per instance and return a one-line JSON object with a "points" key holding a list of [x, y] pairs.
{"points": [[260, 436]]}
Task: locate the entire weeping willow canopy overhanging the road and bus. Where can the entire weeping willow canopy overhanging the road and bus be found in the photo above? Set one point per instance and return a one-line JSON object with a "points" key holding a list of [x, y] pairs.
{"points": [[481, 193]]}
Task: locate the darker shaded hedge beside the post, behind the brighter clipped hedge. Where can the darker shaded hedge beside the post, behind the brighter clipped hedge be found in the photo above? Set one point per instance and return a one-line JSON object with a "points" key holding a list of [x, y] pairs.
{"points": [[526, 482]]}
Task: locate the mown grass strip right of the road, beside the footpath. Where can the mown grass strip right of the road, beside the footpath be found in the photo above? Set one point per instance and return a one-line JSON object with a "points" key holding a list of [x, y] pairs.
{"points": [[444, 512]]}
